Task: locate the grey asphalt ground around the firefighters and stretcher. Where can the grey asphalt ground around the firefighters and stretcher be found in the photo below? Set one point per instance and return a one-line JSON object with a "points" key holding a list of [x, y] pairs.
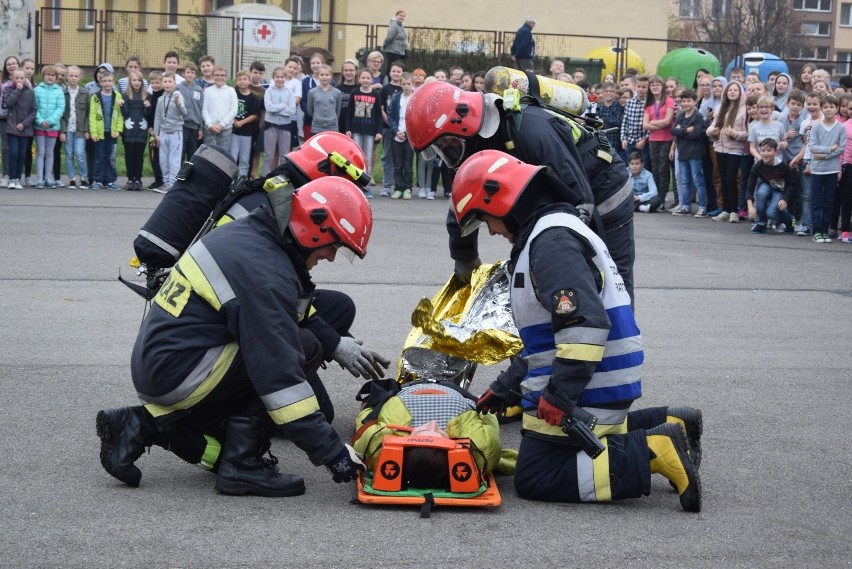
{"points": [[753, 329]]}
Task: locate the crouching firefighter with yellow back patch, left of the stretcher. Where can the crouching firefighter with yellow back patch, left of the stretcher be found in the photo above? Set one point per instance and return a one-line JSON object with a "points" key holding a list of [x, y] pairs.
{"points": [[219, 359]]}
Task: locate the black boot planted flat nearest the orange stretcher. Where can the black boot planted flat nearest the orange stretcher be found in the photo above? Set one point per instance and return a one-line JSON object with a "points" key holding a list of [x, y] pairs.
{"points": [[243, 468]]}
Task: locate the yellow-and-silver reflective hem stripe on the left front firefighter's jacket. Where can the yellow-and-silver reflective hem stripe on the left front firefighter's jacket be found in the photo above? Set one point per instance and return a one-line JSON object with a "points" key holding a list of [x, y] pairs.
{"points": [[200, 382]]}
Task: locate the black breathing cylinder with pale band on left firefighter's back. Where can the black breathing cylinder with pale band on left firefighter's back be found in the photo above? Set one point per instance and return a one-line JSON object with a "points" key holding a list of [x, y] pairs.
{"points": [[201, 183]]}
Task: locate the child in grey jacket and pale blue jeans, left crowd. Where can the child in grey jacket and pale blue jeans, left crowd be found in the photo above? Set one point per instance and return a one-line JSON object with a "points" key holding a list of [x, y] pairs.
{"points": [[168, 128]]}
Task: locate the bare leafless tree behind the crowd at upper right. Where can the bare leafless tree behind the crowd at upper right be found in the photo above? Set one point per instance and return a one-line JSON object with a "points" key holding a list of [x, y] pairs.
{"points": [[756, 25]]}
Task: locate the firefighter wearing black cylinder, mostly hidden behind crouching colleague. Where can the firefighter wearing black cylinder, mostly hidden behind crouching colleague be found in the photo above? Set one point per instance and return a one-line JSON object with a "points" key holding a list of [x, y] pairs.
{"points": [[206, 196]]}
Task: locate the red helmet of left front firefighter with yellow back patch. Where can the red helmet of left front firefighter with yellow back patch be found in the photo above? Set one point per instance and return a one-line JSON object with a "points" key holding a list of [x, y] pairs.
{"points": [[332, 210]]}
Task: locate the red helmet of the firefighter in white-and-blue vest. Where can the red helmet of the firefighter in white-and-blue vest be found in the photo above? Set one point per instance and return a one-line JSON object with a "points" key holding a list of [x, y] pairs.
{"points": [[489, 182]]}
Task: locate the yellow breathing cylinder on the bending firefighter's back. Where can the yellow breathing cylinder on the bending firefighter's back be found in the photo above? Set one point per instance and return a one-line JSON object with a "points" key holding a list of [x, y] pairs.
{"points": [[557, 94]]}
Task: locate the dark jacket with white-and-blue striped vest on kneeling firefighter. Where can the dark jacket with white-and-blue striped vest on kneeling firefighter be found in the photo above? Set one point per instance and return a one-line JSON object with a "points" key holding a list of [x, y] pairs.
{"points": [[581, 344]]}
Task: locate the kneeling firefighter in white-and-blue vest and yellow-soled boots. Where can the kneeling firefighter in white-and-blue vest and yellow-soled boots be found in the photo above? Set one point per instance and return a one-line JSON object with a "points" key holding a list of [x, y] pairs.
{"points": [[582, 356]]}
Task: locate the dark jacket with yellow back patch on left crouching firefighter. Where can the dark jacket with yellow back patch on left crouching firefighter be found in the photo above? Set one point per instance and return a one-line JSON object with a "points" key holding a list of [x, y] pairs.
{"points": [[235, 298]]}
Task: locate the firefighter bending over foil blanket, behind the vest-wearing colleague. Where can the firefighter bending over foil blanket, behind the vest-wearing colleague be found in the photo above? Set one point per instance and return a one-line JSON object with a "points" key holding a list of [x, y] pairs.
{"points": [[444, 120]]}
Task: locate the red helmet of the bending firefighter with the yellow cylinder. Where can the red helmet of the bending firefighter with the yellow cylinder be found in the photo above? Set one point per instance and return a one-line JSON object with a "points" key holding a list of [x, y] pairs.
{"points": [[439, 117]]}
